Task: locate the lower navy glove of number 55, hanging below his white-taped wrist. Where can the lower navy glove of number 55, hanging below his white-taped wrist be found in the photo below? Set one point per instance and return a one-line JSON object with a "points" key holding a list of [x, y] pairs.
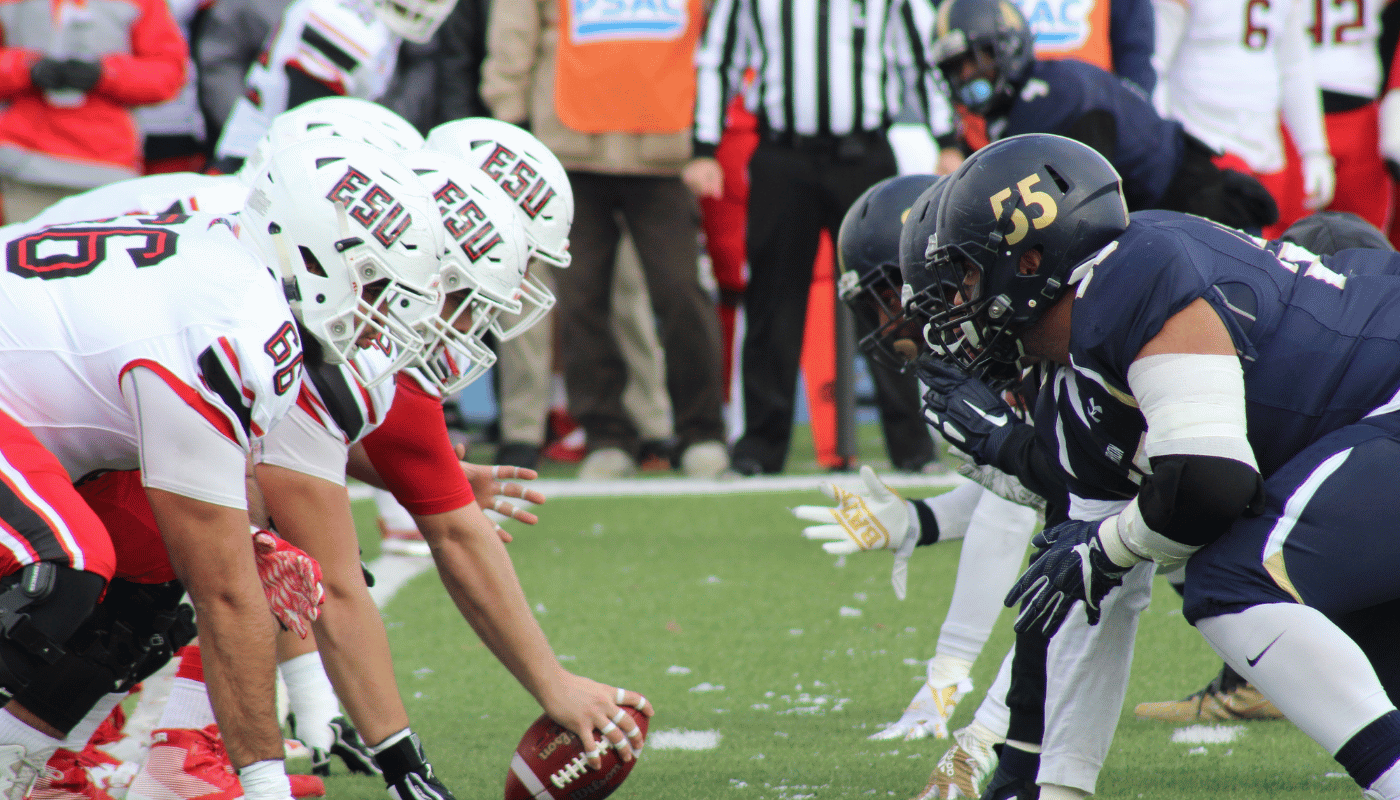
{"points": [[1072, 567]]}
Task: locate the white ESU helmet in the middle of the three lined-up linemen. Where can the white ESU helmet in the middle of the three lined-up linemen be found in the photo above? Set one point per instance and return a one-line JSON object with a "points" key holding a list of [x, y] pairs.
{"points": [[482, 268]]}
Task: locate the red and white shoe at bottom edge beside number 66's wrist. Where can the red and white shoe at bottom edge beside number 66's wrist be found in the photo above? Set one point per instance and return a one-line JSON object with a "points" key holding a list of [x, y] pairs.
{"points": [[187, 764]]}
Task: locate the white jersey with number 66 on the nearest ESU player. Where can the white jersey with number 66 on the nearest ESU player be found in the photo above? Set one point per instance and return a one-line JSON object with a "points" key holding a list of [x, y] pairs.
{"points": [[180, 295]]}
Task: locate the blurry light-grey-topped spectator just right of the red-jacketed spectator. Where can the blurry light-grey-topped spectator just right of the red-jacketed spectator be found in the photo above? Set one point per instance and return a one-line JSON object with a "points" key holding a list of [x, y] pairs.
{"points": [[176, 132]]}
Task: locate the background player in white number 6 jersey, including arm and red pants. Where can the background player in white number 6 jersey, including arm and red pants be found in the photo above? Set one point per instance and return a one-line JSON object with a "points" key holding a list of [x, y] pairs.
{"points": [[1230, 71]]}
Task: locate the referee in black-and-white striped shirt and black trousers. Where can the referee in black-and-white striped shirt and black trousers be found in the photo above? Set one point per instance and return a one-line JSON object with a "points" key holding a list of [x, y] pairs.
{"points": [[822, 144]]}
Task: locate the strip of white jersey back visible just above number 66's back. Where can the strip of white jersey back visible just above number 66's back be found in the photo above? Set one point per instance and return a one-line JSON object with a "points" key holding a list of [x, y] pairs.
{"points": [[170, 193]]}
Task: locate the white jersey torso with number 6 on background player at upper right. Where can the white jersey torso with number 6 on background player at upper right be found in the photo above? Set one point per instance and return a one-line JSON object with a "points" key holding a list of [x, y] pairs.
{"points": [[1224, 83]]}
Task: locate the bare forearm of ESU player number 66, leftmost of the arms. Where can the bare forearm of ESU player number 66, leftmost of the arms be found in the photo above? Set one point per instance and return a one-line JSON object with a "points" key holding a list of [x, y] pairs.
{"points": [[212, 554]]}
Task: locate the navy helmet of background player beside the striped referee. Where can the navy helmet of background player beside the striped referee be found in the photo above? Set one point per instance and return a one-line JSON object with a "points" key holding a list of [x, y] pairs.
{"points": [[996, 39]]}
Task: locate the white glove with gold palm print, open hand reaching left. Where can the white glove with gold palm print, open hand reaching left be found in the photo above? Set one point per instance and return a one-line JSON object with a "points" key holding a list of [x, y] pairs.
{"points": [[877, 519]]}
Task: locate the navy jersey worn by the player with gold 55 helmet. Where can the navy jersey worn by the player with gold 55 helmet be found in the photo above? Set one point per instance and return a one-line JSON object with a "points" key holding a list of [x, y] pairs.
{"points": [[1319, 338]]}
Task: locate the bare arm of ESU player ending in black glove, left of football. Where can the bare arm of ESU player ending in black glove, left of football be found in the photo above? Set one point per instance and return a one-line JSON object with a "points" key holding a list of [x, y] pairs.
{"points": [[314, 515]]}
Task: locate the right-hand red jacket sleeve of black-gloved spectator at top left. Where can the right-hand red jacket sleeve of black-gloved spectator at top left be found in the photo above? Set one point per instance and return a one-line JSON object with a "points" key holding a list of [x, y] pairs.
{"points": [[155, 71]]}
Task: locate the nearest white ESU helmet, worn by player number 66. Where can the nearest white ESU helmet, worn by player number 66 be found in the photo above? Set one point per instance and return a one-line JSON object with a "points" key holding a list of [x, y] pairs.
{"points": [[356, 240]]}
